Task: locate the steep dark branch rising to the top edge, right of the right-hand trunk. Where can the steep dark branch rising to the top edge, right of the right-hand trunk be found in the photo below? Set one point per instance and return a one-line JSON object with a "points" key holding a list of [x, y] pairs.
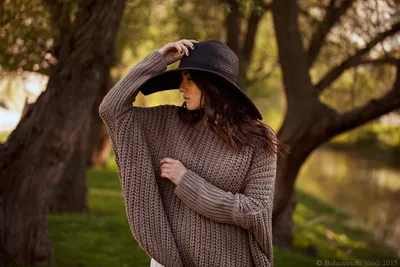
{"points": [[331, 18]]}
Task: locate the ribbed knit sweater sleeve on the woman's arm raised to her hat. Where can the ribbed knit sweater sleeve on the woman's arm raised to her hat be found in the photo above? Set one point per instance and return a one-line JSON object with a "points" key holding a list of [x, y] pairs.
{"points": [[121, 96]]}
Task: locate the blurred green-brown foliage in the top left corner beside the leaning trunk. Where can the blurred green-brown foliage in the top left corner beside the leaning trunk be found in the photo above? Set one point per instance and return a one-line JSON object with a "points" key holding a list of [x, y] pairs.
{"points": [[26, 34]]}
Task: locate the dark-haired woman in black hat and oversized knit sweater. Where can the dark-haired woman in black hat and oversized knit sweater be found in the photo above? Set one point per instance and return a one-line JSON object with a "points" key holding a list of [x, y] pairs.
{"points": [[198, 180]]}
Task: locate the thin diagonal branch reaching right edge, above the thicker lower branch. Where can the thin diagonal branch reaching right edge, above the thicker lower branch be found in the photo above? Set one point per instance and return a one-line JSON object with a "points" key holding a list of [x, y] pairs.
{"points": [[353, 60]]}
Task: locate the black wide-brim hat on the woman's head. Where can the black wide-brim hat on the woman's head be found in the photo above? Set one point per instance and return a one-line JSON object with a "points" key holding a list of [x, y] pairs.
{"points": [[210, 56]]}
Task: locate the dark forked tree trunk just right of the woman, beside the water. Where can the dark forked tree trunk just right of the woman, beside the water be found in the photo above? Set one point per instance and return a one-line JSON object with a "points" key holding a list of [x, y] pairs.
{"points": [[303, 113]]}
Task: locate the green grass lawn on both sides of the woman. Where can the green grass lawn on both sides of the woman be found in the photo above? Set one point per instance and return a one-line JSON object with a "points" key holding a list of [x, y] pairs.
{"points": [[103, 238]]}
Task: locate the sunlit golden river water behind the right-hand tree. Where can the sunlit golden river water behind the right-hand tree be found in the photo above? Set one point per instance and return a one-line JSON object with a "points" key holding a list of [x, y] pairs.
{"points": [[365, 188]]}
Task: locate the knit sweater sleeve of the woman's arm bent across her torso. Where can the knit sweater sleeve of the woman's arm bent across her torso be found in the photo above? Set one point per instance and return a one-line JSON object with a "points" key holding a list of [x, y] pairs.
{"points": [[251, 210]]}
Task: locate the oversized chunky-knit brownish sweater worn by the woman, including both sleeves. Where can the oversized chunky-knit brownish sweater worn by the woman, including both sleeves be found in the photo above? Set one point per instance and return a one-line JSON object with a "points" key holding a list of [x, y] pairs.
{"points": [[219, 215]]}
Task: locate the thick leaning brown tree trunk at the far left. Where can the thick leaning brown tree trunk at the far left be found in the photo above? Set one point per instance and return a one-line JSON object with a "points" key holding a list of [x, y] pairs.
{"points": [[37, 152]]}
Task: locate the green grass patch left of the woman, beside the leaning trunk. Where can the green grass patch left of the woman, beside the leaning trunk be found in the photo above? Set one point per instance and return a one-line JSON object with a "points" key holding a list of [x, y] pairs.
{"points": [[101, 238]]}
